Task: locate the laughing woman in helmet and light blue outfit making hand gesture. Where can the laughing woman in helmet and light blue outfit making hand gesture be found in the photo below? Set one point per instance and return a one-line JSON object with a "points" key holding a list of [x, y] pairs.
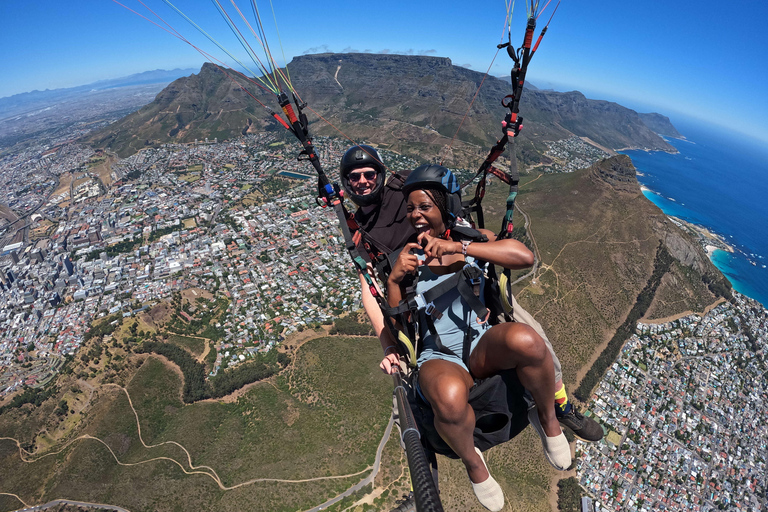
{"points": [[444, 379]]}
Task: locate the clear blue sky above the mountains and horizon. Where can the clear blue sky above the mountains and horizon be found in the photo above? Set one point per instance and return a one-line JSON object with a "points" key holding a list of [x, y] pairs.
{"points": [[699, 58]]}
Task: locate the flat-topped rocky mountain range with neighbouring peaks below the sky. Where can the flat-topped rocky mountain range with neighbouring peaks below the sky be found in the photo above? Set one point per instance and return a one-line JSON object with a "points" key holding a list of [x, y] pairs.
{"points": [[410, 104]]}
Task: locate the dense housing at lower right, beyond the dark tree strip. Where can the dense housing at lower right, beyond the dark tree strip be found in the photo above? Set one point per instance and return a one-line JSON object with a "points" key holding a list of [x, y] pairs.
{"points": [[685, 408]]}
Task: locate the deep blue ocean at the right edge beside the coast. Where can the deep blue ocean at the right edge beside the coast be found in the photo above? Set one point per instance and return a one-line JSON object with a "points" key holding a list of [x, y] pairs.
{"points": [[718, 180]]}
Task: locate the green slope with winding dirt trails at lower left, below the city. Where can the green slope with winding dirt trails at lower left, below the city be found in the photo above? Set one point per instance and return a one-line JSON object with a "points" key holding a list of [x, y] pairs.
{"points": [[323, 418]]}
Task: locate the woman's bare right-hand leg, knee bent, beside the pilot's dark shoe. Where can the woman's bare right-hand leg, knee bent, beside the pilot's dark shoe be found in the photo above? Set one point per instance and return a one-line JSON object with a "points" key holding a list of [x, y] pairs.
{"points": [[517, 346]]}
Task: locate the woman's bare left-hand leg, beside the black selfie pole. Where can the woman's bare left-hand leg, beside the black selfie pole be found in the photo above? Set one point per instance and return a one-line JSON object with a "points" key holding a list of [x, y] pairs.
{"points": [[446, 387]]}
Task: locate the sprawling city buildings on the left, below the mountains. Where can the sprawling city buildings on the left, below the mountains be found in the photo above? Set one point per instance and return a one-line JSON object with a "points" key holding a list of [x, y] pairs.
{"points": [[237, 219]]}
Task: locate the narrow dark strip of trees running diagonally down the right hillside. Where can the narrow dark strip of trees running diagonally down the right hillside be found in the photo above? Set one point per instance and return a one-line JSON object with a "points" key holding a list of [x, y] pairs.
{"points": [[608, 356]]}
